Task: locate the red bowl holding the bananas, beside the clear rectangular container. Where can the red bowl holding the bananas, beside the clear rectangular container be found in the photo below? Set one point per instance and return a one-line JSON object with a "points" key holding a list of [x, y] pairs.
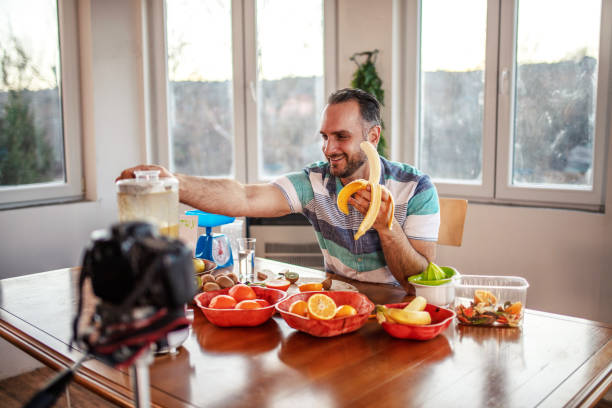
{"points": [[440, 319]]}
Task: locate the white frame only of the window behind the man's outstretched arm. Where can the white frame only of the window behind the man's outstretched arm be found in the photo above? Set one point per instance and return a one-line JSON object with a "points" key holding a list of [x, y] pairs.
{"points": [[246, 151]]}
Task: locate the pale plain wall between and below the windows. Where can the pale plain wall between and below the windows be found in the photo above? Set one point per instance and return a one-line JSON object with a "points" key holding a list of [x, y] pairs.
{"points": [[565, 255]]}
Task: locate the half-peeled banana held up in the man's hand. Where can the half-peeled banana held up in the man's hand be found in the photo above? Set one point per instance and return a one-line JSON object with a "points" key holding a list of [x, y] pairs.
{"points": [[375, 190]]}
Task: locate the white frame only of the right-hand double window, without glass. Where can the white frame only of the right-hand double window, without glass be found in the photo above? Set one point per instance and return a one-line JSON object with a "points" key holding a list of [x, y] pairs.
{"points": [[497, 131]]}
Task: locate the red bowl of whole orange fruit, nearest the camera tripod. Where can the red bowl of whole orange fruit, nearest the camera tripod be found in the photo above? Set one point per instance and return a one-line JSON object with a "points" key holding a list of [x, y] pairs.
{"points": [[239, 317]]}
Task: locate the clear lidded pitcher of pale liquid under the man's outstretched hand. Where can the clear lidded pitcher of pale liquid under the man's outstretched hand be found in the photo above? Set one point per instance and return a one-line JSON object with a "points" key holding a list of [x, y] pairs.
{"points": [[150, 198]]}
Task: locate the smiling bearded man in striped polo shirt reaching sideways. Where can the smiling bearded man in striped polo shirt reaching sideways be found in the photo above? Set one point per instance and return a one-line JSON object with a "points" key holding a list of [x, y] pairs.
{"points": [[382, 254]]}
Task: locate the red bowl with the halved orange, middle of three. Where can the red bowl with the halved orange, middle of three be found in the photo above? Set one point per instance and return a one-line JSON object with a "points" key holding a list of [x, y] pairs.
{"points": [[333, 327]]}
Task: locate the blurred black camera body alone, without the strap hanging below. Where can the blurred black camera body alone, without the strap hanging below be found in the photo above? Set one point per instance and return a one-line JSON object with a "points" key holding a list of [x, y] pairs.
{"points": [[134, 259]]}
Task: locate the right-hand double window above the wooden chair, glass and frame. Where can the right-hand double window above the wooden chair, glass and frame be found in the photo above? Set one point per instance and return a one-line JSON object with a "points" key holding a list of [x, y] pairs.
{"points": [[511, 103]]}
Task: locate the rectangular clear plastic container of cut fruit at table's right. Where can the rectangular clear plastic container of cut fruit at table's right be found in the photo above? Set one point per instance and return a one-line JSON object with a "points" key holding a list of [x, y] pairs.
{"points": [[490, 300]]}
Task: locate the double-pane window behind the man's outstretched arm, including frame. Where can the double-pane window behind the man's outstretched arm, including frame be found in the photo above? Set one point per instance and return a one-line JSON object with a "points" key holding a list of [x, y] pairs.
{"points": [[246, 85]]}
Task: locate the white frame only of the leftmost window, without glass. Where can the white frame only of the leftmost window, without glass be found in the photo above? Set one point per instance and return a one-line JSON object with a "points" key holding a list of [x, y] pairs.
{"points": [[72, 189]]}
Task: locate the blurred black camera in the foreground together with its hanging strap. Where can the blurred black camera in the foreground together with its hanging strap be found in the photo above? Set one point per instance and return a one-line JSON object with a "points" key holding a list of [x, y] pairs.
{"points": [[142, 282]]}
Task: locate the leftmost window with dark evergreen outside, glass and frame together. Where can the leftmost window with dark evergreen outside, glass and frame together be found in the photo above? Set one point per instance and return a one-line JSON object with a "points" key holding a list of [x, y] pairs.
{"points": [[40, 154]]}
